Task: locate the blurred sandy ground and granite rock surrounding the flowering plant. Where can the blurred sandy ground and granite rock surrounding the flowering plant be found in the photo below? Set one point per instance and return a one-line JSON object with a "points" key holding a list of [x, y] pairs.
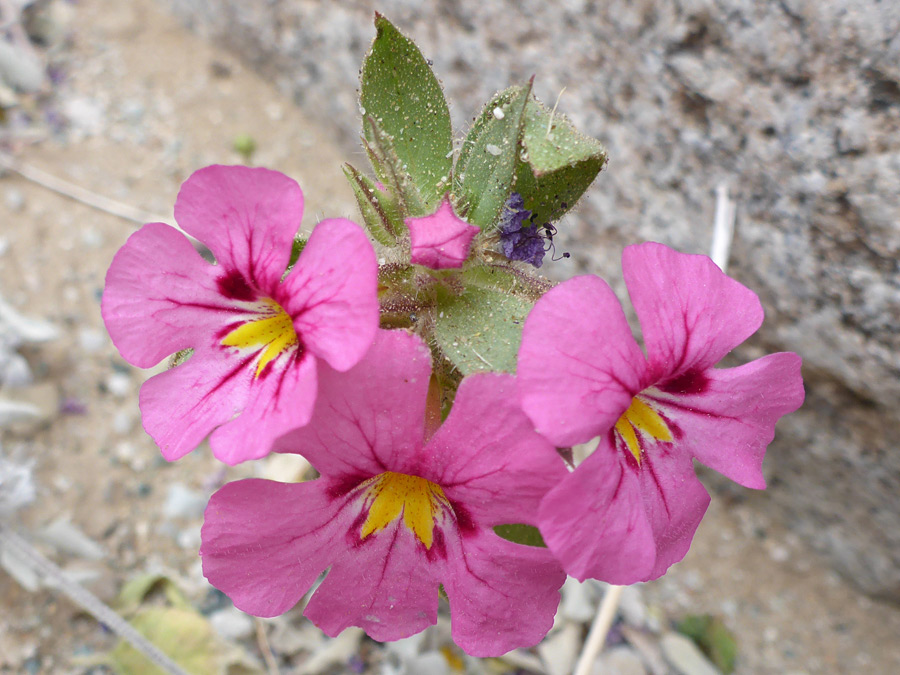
{"points": [[794, 104]]}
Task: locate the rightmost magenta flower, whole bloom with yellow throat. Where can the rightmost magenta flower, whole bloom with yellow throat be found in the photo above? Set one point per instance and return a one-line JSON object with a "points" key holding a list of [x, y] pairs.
{"points": [[631, 509]]}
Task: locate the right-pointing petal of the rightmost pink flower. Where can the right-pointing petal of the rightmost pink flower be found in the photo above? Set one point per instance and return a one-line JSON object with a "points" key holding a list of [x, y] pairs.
{"points": [[728, 417]]}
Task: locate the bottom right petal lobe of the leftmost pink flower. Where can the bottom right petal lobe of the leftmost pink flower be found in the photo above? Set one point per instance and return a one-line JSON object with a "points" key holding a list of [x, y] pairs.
{"points": [[280, 400]]}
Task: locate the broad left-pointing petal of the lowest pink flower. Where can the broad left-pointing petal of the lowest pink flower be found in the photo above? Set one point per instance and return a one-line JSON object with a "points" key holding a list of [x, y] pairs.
{"points": [[265, 543]]}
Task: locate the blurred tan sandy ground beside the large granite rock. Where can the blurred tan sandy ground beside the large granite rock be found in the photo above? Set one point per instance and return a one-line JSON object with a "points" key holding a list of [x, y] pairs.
{"points": [[153, 103]]}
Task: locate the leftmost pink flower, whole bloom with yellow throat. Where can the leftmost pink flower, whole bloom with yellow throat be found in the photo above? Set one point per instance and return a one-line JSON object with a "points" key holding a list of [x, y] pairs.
{"points": [[257, 339]]}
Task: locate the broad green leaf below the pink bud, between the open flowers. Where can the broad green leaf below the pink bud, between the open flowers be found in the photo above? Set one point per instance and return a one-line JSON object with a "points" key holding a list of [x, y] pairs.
{"points": [[481, 329]]}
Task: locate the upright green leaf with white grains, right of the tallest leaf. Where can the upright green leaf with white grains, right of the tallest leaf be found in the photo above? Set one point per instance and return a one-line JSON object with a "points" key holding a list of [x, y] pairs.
{"points": [[486, 168]]}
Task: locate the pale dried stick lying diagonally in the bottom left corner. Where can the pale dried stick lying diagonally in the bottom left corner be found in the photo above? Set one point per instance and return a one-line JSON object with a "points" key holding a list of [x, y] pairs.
{"points": [[85, 599]]}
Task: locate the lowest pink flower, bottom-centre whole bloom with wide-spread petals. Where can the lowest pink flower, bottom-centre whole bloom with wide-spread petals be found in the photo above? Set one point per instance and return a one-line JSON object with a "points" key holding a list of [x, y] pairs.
{"points": [[395, 514]]}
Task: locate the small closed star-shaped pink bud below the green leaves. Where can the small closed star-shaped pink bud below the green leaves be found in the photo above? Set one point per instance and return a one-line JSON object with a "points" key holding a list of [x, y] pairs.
{"points": [[440, 240]]}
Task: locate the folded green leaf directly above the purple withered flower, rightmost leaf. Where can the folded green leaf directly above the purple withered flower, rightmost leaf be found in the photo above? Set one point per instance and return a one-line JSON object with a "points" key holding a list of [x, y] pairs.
{"points": [[557, 163]]}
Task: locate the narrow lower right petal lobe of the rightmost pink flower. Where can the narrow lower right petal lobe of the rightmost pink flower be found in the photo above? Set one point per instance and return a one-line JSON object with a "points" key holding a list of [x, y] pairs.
{"points": [[675, 501]]}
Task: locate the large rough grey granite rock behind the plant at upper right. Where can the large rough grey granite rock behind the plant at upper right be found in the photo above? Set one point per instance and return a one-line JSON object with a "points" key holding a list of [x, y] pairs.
{"points": [[794, 104]]}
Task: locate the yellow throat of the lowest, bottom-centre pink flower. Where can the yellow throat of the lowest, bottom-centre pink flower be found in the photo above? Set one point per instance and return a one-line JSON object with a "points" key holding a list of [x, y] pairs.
{"points": [[391, 495]]}
